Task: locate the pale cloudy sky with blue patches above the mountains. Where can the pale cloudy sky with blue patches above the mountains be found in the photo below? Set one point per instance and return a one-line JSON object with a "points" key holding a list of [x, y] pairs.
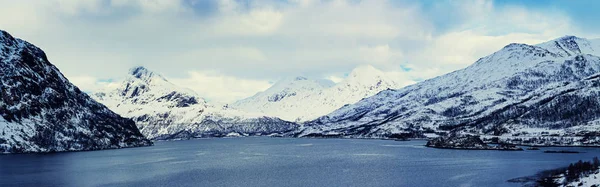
{"points": [[230, 49]]}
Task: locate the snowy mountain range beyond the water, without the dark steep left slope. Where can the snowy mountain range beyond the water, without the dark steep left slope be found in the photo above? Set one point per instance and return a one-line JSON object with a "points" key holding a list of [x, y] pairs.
{"points": [[520, 91]]}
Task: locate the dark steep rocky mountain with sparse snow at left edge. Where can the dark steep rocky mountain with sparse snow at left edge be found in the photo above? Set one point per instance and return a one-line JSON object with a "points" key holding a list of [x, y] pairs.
{"points": [[43, 112]]}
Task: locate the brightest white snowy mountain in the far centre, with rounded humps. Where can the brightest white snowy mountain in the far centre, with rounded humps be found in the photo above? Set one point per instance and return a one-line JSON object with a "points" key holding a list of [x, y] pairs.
{"points": [[302, 99]]}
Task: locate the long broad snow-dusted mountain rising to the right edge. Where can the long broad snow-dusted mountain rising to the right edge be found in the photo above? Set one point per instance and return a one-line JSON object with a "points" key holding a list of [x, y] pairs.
{"points": [[522, 90]]}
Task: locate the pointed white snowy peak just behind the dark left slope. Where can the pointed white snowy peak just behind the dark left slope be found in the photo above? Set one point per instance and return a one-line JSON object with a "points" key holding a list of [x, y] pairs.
{"points": [[163, 110]]}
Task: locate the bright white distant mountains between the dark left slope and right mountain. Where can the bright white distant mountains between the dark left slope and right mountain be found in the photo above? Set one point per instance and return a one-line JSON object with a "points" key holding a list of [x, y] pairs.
{"points": [[163, 110]]}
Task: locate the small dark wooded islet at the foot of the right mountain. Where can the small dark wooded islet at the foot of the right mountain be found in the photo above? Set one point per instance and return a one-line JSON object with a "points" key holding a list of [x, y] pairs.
{"points": [[468, 142]]}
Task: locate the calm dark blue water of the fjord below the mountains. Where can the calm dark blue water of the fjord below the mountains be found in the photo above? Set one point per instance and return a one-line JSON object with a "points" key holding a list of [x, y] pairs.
{"points": [[281, 162]]}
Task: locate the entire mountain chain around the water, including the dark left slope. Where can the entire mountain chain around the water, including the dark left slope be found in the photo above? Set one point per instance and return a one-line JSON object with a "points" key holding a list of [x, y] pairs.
{"points": [[545, 94]]}
